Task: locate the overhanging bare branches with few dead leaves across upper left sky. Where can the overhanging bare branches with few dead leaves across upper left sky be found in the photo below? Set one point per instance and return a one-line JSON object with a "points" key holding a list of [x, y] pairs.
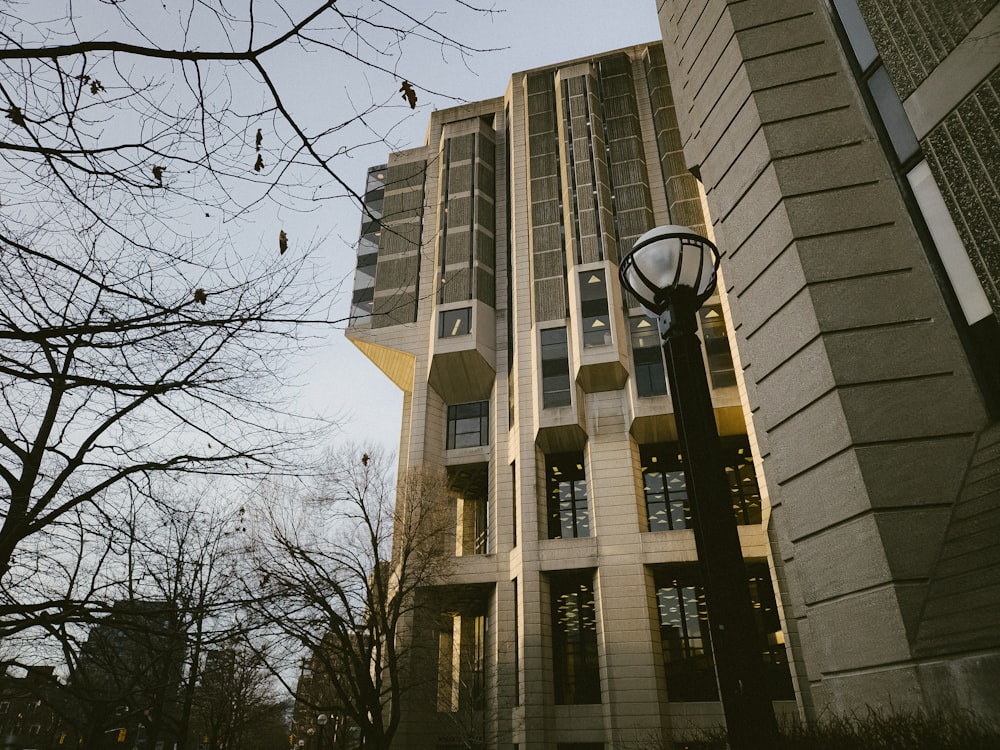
{"points": [[114, 108]]}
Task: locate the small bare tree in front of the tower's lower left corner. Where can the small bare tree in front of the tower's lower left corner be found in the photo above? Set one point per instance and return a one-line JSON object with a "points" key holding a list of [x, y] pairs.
{"points": [[340, 576]]}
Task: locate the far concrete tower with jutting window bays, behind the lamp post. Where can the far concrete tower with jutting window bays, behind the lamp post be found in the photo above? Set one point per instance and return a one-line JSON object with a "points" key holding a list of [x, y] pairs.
{"points": [[487, 290]]}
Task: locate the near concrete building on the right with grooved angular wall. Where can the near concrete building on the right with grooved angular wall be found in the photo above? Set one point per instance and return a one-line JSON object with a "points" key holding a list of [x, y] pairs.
{"points": [[849, 152]]}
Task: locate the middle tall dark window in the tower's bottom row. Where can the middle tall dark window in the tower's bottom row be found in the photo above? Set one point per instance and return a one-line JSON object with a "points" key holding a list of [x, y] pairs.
{"points": [[576, 669]]}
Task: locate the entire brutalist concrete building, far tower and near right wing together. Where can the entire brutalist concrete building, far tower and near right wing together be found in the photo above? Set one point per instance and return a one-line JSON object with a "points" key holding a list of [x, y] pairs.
{"points": [[844, 160]]}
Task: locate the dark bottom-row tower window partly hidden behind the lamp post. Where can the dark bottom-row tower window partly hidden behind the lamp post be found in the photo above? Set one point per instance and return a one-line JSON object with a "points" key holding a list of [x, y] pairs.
{"points": [[684, 634]]}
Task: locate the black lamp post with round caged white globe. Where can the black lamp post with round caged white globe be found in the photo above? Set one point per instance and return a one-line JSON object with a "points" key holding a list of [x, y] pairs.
{"points": [[672, 271]]}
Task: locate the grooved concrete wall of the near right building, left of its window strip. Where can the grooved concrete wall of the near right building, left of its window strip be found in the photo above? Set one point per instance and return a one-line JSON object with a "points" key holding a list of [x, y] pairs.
{"points": [[861, 396]]}
